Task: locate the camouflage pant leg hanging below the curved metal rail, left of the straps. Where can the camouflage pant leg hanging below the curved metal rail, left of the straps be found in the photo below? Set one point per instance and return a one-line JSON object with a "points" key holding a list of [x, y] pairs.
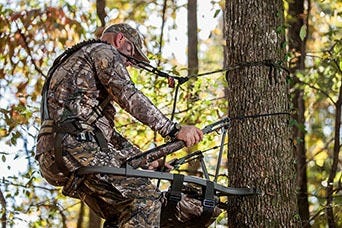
{"points": [[137, 206]]}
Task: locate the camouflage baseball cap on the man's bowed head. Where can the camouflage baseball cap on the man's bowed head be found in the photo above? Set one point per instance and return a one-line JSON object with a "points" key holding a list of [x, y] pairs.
{"points": [[132, 35]]}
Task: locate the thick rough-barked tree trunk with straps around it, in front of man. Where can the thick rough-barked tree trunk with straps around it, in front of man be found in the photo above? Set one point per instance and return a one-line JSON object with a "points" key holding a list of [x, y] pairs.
{"points": [[260, 152]]}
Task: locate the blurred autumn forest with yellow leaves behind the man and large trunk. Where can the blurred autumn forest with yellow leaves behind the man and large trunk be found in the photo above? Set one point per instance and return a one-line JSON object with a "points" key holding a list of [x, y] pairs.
{"points": [[34, 32]]}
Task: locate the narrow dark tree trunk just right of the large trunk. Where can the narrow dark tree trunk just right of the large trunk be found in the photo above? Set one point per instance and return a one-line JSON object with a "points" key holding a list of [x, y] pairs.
{"points": [[297, 19]]}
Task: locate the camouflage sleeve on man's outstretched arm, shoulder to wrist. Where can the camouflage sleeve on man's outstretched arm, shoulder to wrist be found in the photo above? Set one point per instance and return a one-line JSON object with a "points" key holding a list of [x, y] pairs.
{"points": [[114, 77]]}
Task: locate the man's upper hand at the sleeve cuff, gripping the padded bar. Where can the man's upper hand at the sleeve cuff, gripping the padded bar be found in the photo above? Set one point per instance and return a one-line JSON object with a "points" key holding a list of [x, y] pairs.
{"points": [[191, 135]]}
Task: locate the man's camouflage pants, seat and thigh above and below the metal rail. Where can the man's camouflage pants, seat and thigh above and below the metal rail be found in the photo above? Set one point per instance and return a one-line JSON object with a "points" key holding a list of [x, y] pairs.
{"points": [[121, 201]]}
